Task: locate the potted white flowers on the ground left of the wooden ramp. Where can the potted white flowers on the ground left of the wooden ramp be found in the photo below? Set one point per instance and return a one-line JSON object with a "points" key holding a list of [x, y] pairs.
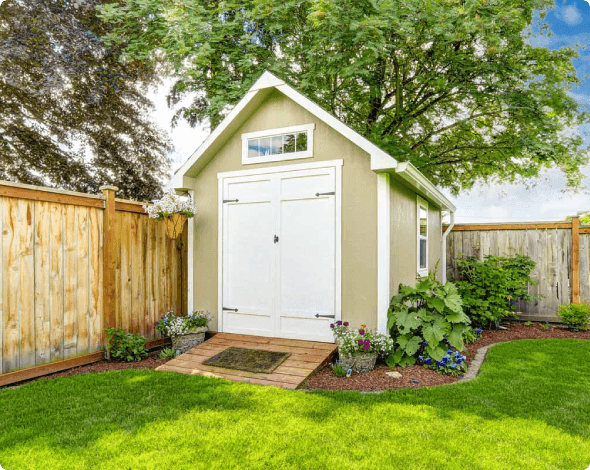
{"points": [[187, 331]]}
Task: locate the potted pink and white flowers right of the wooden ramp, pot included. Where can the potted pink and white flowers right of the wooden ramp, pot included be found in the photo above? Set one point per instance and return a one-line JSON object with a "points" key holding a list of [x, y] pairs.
{"points": [[360, 348]]}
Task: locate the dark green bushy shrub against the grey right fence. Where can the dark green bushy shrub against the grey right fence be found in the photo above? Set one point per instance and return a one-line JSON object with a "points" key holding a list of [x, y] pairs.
{"points": [[487, 287]]}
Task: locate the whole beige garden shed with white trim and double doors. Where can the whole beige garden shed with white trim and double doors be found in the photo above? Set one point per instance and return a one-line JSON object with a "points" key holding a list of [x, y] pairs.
{"points": [[302, 221]]}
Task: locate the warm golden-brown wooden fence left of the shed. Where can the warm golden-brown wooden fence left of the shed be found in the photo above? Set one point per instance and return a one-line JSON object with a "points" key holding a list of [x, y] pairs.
{"points": [[73, 264]]}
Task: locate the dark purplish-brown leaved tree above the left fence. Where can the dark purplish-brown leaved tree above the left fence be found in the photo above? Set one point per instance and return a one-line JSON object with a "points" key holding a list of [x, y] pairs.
{"points": [[71, 114]]}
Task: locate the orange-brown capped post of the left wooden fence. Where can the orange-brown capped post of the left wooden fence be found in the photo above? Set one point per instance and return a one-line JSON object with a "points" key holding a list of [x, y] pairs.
{"points": [[110, 241]]}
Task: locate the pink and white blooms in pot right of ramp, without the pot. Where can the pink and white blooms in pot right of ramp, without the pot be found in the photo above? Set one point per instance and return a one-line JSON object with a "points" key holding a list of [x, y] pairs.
{"points": [[361, 341]]}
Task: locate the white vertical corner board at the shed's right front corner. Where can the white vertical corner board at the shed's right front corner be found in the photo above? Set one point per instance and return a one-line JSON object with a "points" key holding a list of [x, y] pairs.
{"points": [[383, 250]]}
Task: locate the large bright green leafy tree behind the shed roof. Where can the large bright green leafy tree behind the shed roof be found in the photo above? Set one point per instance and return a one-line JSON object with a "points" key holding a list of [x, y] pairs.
{"points": [[452, 85]]}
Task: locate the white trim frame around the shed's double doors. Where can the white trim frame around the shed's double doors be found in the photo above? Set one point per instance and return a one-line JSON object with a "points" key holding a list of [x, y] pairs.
{"points": [[337, 164]]}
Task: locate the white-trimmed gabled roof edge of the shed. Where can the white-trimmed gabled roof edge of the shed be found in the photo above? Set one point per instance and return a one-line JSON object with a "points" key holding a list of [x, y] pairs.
{"points": [[381, 162]]}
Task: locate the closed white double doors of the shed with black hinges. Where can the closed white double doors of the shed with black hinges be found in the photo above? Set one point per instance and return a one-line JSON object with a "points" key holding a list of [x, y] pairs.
{"points": [[279, 254]]}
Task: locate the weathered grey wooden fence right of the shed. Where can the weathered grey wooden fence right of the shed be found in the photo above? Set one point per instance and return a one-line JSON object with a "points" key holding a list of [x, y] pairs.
{"points": [[561, 251]]}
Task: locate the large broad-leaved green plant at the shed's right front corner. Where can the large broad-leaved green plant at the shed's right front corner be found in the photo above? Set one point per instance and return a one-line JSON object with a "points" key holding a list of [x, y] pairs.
{"points": [[425, 319]]}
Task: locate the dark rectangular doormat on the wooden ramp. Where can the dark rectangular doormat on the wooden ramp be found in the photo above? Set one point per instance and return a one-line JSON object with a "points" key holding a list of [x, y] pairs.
{"points": [[250, 360]]}
